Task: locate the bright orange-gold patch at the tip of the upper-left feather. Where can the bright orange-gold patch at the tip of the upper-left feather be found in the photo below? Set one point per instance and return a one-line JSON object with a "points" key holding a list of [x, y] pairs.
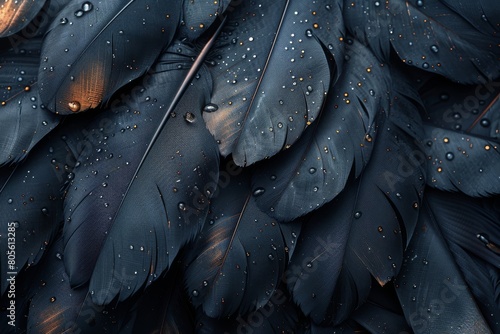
{"points": [[86, 90]]}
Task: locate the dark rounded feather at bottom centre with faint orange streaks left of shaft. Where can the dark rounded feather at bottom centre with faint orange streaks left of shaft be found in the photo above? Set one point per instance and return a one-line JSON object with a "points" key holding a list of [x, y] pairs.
{"points": [[239, 258]]}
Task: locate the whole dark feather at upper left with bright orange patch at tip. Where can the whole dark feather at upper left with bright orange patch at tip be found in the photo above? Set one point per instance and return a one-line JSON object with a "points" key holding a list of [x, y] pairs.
{"points": [[94, 48]]}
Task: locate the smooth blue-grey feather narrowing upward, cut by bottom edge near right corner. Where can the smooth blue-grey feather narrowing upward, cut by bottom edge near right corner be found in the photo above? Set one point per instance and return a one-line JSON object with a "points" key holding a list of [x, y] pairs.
{"points": [[433, 294]]}
